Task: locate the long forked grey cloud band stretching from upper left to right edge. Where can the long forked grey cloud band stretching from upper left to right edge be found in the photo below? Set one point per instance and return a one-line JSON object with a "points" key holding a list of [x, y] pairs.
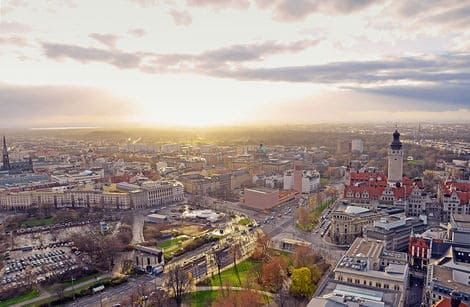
{"points": [[443, 78]]}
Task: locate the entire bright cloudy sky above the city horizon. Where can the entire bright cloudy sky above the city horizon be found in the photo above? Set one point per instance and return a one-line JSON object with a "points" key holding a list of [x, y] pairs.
{"points": [[232, 62]]}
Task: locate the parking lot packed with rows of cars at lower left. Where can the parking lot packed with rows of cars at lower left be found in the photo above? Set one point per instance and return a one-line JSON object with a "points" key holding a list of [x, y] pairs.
{"points": [[36, 264]]}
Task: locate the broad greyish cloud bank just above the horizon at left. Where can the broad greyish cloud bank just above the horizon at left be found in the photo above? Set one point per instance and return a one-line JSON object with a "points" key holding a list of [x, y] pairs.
{"points": [[59, 104]]}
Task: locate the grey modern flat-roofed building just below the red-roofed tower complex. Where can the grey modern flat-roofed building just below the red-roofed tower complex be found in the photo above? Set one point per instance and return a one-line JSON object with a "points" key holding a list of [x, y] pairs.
{"points": [[394, 230]]}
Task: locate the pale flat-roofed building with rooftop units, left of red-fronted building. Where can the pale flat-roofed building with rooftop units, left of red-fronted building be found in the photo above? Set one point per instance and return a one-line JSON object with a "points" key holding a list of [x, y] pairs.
{"points": [[368, 263]]}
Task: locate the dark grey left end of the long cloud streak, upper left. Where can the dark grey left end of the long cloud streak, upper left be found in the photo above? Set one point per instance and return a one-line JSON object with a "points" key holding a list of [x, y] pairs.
{"points": [[85, 55]]}
